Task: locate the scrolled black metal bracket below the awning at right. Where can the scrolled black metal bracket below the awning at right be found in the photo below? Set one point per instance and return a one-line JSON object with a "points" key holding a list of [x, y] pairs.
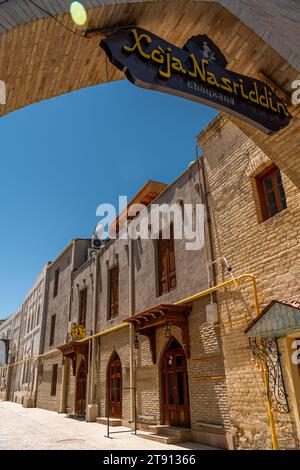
{"points": [[266, 350]]}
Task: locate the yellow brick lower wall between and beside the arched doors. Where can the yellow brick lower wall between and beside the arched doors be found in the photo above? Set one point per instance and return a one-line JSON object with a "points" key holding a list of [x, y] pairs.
{"points": [[206, 376]]}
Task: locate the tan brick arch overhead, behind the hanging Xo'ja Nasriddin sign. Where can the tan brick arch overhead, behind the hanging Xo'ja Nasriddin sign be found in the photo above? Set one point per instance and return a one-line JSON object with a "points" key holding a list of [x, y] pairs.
{"points": [[40, 59]]}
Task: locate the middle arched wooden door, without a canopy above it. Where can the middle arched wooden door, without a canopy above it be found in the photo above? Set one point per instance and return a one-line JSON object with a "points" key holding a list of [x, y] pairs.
{"points": [[115, 387]]}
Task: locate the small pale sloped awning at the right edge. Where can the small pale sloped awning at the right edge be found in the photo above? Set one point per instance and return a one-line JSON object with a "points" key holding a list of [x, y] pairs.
{"points": [[279, 318]]}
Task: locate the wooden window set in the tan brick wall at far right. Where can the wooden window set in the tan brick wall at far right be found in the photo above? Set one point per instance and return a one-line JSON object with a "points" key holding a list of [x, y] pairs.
{"points": [[271, 192]]}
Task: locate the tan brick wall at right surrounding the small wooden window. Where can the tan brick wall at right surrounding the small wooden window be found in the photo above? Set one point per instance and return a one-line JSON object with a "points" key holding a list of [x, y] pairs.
{"points": [[270, 250]]}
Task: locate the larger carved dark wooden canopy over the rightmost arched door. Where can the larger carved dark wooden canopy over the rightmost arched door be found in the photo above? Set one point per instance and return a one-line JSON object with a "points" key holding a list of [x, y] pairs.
{"points": [[145, 323]]}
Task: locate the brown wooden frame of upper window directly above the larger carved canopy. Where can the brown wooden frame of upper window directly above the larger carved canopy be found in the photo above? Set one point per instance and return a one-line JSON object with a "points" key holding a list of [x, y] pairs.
{"points": [[165, 246]]}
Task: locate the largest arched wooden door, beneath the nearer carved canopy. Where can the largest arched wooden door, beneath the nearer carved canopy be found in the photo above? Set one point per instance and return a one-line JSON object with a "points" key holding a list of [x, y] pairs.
{"points": [[176, 408]]}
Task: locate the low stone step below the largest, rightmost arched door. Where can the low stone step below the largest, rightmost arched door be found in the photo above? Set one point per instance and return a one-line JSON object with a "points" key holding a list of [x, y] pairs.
{"points": [[167, 434]]}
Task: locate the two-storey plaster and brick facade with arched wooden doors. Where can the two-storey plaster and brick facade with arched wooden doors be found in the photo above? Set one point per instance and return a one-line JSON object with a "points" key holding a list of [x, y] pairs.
{"points": [[73, 383]]}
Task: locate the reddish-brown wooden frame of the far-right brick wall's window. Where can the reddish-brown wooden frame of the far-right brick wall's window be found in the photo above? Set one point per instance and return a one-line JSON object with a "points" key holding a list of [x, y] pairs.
{"points": [[270, 171]]}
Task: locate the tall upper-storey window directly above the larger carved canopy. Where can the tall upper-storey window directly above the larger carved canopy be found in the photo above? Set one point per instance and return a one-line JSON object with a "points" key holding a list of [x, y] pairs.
{"points": [[166, 263]]}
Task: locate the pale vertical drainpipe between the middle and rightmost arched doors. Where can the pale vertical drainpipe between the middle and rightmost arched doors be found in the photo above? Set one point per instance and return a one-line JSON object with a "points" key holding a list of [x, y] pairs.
{"points": [[131, 328]]}
